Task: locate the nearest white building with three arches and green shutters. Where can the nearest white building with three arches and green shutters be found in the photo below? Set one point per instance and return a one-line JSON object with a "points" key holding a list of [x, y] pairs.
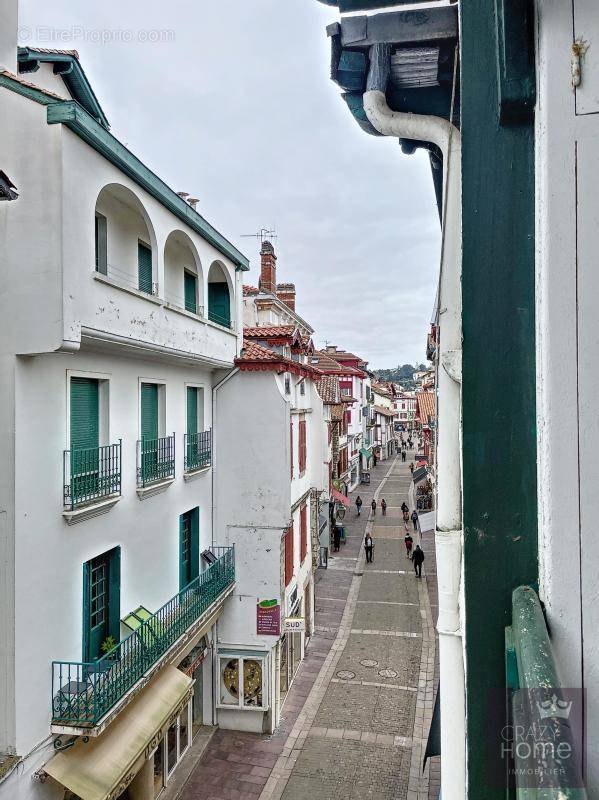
{"points": [[122, 310]]}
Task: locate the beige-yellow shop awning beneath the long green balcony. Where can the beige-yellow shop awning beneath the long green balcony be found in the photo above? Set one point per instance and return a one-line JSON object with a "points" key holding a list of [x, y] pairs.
{"points": [[94, 770]]}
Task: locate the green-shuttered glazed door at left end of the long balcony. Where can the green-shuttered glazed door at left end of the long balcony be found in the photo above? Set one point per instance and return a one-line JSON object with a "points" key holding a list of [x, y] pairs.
{"points": [[101, 604]]}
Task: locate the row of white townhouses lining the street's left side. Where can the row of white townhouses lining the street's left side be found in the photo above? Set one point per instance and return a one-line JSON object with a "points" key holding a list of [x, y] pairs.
{"points": [[173, 453]]}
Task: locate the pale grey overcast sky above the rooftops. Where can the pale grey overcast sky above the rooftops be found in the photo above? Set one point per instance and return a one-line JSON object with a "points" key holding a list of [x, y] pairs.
{"points": [[236, 107]]}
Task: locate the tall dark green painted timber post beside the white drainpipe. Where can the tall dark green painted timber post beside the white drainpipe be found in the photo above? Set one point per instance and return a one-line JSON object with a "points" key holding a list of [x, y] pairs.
{"points": [[499, 458]]}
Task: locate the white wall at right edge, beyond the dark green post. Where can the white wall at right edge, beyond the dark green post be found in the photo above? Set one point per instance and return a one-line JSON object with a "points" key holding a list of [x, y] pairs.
{"points": [[567, 172]]}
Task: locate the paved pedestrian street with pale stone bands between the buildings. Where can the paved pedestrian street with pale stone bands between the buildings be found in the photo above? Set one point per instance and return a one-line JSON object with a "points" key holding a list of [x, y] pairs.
{"points": [[356, 718]]}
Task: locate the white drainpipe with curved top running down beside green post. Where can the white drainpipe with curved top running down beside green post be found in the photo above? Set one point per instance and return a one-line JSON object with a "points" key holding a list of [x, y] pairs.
{"points": [[449, 536]]}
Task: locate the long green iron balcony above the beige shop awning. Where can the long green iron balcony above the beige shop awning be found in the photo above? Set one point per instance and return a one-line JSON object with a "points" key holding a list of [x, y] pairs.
{"points": [[84, 693]]}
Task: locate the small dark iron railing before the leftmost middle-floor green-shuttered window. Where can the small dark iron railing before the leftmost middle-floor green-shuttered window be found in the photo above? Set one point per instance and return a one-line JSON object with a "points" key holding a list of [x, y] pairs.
{"points": [[91, 474]]}
